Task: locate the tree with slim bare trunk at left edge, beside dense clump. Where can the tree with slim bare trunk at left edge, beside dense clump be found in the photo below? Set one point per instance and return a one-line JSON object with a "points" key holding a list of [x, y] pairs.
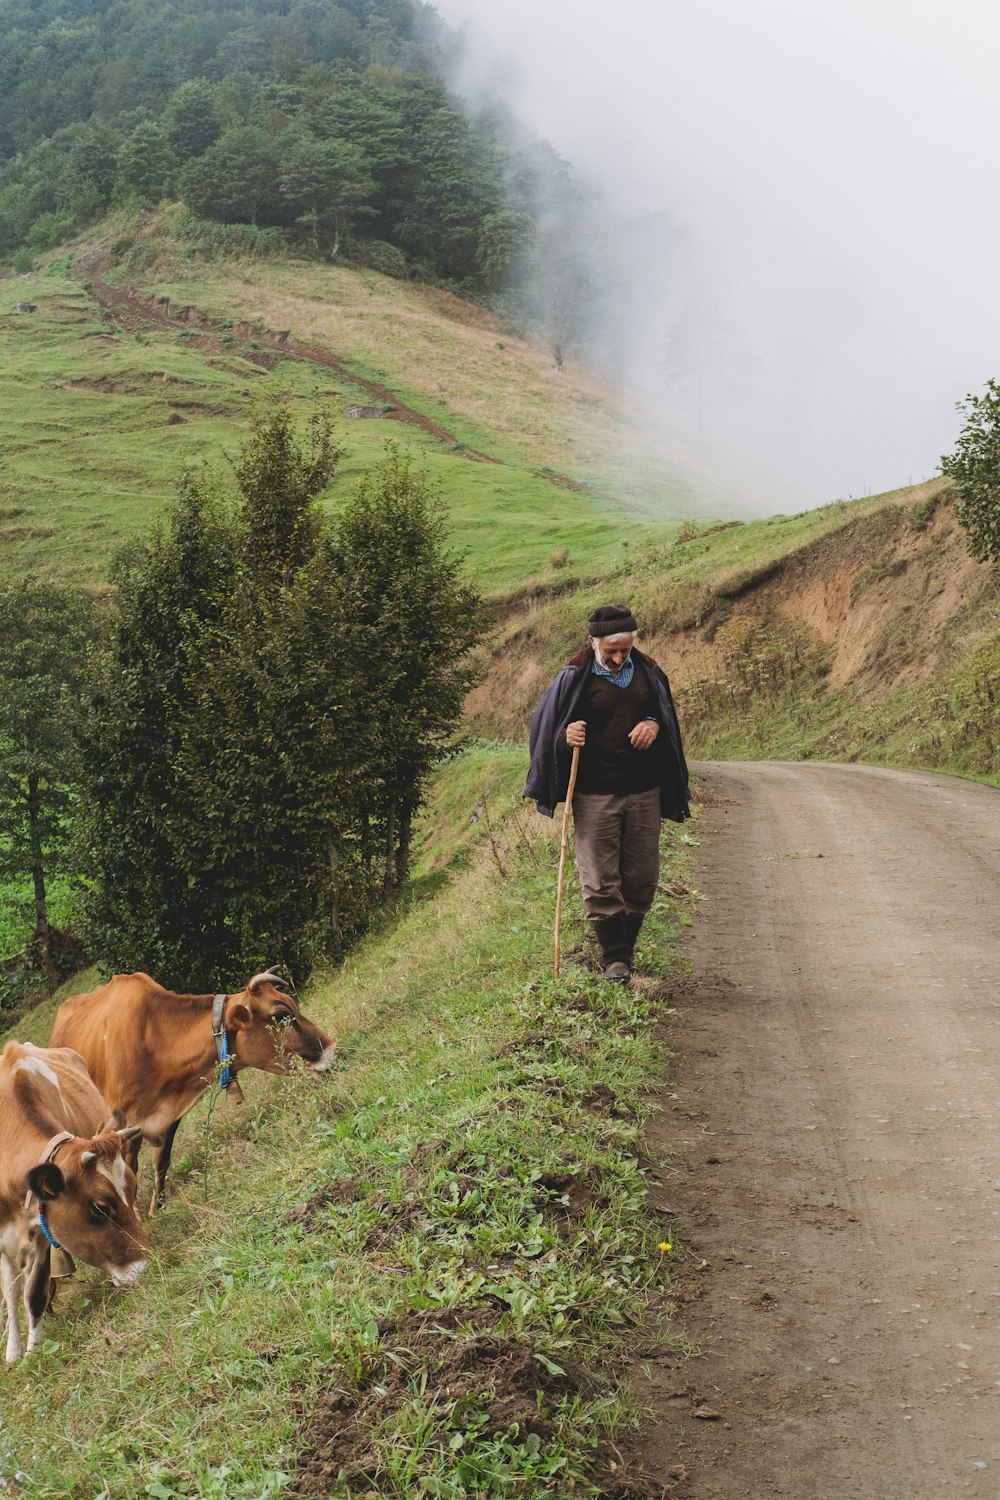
{"points": [[46, 634]]}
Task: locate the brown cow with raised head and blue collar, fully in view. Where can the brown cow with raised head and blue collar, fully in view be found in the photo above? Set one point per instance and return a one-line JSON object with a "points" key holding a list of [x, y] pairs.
{"points": [[154, 1054]]}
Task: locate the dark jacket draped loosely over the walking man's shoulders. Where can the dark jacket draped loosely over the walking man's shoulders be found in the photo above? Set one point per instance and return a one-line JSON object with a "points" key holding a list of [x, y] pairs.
{"points": [[551, 757]]}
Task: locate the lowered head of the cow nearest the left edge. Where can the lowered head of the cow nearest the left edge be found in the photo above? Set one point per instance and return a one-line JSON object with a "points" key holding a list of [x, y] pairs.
{"points": [[88, 1199]]}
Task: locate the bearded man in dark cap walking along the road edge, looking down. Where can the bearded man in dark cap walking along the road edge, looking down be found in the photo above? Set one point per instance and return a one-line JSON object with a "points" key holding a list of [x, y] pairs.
{"points": [[615, 704]]}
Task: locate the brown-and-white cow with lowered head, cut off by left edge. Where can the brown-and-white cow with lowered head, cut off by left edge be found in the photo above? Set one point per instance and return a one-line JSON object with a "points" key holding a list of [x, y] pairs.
{"points": [[64, 1181]]}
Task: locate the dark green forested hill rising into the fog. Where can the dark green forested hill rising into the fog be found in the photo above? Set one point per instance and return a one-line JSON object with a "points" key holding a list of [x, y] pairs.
{"points": [[322, 122]]}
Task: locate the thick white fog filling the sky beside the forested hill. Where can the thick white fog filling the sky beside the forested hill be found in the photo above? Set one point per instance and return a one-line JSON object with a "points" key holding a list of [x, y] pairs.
{"points": [[827, 289]]}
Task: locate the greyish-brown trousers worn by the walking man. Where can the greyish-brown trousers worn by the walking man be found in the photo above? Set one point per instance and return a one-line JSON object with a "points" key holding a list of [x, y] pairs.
{"points": [[617, 851]]}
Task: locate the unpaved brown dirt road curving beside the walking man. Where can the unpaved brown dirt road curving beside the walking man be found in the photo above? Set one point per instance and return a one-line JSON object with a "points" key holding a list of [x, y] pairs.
{"points": [[834, 1129]]}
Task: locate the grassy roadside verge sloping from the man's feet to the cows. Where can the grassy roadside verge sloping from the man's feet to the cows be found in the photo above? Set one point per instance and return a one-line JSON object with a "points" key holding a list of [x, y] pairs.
{"points": [[419, 1277]]}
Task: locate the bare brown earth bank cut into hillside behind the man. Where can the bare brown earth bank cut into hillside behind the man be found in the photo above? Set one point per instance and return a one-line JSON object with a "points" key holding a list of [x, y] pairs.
{"points": [[882, 602]]}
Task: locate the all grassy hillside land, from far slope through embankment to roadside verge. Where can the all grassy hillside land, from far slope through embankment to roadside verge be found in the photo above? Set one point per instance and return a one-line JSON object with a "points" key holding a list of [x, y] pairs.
{"points": [[428, 1276]]}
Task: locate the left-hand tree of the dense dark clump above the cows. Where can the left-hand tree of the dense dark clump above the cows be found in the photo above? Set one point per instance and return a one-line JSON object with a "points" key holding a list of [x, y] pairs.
{"points": [[170, 589]]}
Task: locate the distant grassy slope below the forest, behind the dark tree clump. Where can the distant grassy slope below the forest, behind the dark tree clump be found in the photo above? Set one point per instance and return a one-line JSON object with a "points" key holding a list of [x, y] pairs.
{"points": [[97, 422]]}
